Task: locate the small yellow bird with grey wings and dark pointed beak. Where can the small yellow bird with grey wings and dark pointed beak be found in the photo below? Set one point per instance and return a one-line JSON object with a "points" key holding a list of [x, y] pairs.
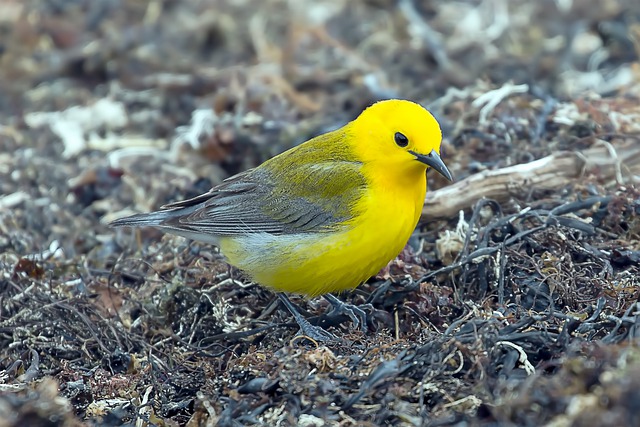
{"points": [[323, 216]]}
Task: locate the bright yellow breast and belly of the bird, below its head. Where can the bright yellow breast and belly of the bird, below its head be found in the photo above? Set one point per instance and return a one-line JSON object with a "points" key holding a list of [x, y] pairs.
{"points": [[317, 263]]}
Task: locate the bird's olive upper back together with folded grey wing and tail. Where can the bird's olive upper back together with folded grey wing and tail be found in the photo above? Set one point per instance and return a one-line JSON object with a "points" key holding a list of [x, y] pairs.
{"points": [[314, 187]]}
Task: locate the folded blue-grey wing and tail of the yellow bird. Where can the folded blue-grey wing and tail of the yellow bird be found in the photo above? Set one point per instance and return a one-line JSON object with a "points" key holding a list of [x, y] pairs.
{"points": [[246, 203]]}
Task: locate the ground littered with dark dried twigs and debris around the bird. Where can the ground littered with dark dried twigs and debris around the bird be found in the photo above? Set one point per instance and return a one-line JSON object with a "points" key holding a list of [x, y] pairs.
{"points": [[519, 310]]}
